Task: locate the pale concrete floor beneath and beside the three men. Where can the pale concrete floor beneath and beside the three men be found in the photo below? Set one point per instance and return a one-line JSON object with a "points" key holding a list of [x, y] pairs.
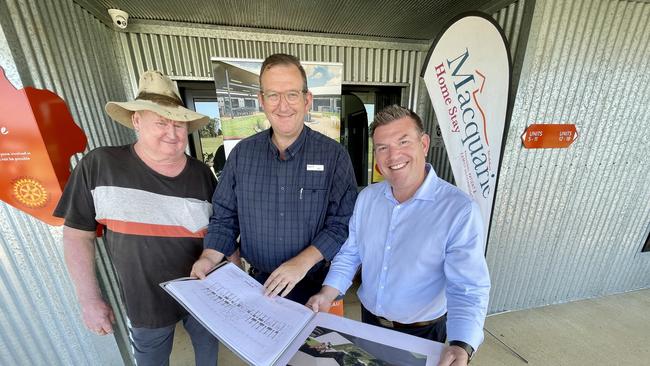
{"points": [[612, 330]]}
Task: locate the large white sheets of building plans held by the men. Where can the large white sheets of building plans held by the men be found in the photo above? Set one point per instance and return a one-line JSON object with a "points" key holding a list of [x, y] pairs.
{"points": [[276, 331]]}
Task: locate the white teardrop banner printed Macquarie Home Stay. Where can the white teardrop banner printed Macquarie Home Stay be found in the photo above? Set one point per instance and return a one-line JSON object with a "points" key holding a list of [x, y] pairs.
{"points": [[467, 74]]}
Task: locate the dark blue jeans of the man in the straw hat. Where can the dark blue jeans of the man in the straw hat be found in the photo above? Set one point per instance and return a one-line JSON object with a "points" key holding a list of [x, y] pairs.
{"points": [[152, 347]]}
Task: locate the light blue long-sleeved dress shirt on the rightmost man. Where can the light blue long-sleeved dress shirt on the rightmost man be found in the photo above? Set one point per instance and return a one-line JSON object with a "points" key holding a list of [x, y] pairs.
{"points": [[421, 258]]}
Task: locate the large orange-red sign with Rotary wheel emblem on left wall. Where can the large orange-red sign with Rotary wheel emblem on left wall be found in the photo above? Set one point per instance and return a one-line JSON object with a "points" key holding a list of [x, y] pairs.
{"points": [[37, 138]]}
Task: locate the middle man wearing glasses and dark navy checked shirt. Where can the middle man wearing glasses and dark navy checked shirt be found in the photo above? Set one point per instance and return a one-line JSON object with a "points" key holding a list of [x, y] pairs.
{"points": [[288, 192]]}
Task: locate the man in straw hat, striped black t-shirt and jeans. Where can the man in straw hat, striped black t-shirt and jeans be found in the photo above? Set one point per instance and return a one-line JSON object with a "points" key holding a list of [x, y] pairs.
{"points": [[153, 202]]}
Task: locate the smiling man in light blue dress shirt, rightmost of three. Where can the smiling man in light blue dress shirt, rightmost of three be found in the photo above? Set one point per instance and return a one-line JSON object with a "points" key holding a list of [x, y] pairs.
{"points": [[419, 241]]}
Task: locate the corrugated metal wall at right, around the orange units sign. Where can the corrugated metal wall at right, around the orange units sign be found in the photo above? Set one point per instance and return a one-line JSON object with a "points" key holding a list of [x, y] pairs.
{"points": [[570, 223]]}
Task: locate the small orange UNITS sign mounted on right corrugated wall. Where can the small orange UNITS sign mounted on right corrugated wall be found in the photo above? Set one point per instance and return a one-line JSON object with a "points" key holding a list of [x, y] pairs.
{"points": [[549, 136]]}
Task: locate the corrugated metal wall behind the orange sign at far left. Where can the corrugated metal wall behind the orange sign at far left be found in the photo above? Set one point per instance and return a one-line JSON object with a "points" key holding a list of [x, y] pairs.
{"points": [[58, 46]]}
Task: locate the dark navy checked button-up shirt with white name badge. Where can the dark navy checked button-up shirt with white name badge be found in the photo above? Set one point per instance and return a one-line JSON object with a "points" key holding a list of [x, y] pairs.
{"points": [[281, 207]]}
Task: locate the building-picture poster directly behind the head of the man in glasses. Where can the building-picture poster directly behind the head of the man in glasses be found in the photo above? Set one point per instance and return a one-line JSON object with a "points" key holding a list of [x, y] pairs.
{"points": [[241, 114]]}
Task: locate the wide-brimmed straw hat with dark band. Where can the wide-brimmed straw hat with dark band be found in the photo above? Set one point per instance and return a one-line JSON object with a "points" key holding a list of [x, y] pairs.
{"points": [[156, 93]]}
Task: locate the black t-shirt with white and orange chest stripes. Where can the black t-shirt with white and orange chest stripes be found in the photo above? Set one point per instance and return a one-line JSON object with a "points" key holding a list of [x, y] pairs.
{"points": [[154, 224]]}
